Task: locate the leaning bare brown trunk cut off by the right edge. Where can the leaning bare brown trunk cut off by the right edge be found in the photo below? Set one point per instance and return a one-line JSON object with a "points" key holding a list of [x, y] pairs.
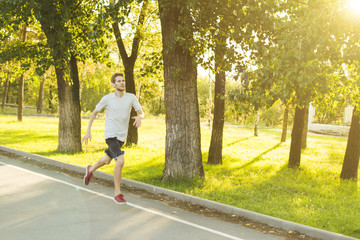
{"points": [[352, 153]]}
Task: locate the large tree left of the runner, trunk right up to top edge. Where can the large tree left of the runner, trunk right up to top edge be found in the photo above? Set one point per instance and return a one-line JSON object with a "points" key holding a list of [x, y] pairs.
{"points": [[53, 18]]}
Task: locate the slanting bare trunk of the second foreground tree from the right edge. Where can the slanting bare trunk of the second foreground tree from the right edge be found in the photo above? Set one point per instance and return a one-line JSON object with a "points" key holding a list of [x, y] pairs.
{"points": [[296, 138]]}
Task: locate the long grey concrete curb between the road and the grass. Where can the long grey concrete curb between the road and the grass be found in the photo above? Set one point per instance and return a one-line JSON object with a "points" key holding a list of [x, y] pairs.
{"points": [[271, 221]]}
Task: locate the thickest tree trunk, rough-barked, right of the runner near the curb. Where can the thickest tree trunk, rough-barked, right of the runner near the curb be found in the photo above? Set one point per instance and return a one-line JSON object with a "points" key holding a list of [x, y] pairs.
{"points": [[183, 158]]}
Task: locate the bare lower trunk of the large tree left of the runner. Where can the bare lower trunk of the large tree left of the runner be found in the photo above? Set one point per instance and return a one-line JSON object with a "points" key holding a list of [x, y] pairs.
{"points": [[69, 109]]}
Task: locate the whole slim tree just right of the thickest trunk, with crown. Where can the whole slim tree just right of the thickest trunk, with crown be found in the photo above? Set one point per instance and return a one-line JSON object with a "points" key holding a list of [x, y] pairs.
{"points": [[223, 27]]}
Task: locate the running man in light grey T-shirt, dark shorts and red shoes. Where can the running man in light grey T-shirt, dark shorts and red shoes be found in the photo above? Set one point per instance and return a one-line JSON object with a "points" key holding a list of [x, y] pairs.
{"points": [[118, 106]]}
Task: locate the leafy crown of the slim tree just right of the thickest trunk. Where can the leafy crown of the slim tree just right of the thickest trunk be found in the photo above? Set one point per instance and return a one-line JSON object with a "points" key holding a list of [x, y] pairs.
{"points": [[228, 25]]}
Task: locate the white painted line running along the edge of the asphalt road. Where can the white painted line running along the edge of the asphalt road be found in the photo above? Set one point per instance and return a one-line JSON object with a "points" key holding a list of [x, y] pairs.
{"points": [[130, 204]]}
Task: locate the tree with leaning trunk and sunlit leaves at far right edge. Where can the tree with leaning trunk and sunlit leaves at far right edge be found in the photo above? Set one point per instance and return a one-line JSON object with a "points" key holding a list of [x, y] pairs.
{"points": [[347, 33]]}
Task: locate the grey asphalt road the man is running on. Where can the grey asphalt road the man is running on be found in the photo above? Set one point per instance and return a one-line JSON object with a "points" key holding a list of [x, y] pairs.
{"points": [[37, 203]]}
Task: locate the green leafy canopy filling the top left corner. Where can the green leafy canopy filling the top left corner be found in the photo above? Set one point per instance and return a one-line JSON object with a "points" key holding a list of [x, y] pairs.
{"points": [[57, 30]]}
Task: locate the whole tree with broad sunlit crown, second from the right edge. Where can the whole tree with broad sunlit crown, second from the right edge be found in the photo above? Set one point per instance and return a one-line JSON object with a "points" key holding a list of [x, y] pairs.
{"points": [[294, 59]]}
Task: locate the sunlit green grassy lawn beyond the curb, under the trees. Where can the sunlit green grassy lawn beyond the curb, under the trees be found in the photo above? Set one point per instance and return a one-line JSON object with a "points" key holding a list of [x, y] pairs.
{"points": [[253, 176]]}
